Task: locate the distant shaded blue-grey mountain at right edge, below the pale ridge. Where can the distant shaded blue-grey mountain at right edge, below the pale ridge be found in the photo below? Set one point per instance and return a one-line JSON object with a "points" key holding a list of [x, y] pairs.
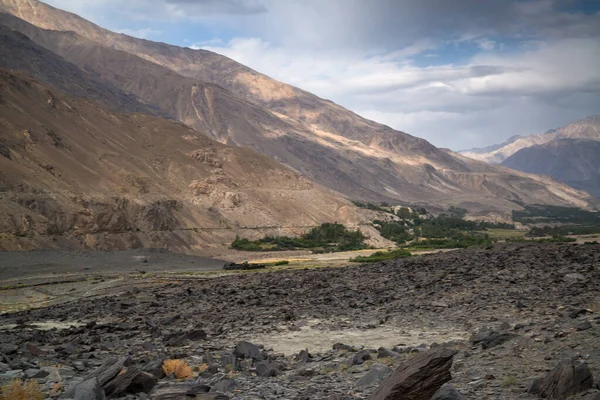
{"points": [[575, 162]]}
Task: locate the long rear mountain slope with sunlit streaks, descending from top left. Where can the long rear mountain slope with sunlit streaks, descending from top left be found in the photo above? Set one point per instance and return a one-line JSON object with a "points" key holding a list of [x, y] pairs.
{"points": [[324, 142]]}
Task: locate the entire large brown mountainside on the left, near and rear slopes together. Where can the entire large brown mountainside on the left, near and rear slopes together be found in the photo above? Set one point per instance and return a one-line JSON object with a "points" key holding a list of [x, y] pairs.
{"points": [[187, 128]]}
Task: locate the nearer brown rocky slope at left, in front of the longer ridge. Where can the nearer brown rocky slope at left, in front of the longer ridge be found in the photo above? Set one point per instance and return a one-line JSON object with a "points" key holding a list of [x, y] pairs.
{"points": [[76, 175]]}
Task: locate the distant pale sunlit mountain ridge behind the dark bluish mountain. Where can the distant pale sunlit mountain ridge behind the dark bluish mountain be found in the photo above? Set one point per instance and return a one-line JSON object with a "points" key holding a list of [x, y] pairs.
{"points": [[588, 128]]}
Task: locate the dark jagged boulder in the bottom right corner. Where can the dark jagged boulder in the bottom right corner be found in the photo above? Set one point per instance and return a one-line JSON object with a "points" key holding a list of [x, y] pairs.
{"points": [[569, 377]]}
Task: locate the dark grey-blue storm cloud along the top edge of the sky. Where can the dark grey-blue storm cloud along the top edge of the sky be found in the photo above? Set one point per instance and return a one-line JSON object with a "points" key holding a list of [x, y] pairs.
{"points": [[396, 23]]}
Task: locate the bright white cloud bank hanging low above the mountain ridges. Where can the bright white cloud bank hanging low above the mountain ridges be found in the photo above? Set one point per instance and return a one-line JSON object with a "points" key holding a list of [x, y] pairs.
{"points": [[490, 97]]}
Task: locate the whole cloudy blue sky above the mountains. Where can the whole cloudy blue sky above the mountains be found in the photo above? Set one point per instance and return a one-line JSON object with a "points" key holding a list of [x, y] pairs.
{"points": [[459, 73]]}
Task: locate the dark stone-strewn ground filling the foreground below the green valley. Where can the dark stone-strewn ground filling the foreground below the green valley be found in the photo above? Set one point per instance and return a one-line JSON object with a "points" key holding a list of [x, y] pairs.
{"points": [[501, 316]]}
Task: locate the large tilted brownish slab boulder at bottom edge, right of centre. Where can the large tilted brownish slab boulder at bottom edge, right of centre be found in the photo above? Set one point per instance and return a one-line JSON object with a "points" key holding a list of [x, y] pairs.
{"points": [[418, 378]]}
